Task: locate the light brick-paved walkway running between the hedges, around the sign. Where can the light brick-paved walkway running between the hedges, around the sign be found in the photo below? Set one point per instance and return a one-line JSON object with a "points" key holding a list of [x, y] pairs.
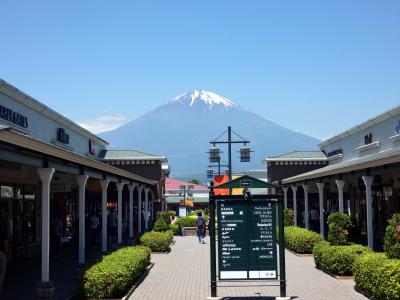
{"points": [[184, 273]]}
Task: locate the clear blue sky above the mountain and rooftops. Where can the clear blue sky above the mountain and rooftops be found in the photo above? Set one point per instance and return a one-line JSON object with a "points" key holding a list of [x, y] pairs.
{"points": [[312, 66]]}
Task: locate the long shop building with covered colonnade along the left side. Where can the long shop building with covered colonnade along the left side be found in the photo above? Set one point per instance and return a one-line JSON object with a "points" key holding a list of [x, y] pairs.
{"points": [[52, 168]]}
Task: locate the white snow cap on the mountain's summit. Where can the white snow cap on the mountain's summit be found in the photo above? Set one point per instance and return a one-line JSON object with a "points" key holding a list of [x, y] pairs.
{"points": [[202, 98]]}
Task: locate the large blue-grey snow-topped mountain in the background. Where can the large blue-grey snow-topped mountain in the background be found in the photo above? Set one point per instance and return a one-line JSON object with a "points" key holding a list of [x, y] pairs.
{"points": [[182, 129]]}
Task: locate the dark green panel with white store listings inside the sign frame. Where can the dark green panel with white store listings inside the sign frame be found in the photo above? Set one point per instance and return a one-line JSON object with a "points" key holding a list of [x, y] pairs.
{"points": [[246, 240]]}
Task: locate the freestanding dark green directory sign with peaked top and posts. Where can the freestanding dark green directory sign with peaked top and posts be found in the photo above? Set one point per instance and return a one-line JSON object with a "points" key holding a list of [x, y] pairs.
{"points": [[247, 235]]}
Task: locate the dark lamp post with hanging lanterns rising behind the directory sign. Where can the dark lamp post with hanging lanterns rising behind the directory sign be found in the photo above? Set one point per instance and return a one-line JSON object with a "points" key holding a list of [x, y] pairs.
{"points": [[214, 153]]}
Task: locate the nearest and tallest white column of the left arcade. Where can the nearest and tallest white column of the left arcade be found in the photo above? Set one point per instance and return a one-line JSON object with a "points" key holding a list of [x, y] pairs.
{"points": [[45, 175]]}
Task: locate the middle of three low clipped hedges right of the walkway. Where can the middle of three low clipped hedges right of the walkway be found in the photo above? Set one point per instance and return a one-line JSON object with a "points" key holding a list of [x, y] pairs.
{"points": [[337, 259]]}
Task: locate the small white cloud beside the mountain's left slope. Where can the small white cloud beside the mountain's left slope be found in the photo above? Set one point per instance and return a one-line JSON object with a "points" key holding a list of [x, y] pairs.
{"points": [[105, 122]]}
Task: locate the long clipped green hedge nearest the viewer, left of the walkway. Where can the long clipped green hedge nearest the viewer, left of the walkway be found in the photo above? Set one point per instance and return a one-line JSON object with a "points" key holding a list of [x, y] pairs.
{"points": [[114, 275]]}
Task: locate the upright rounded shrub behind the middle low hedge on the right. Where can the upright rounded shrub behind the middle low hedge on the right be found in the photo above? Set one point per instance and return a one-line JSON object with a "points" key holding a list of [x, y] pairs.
{"points": [[338, 228]]}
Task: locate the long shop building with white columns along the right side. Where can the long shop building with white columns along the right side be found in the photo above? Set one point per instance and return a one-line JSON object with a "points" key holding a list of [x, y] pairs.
{"points": [[362, 178]]}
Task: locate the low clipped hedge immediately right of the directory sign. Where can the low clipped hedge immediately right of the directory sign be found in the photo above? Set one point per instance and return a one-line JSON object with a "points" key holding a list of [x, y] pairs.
{"points": [[300, 240]]}
